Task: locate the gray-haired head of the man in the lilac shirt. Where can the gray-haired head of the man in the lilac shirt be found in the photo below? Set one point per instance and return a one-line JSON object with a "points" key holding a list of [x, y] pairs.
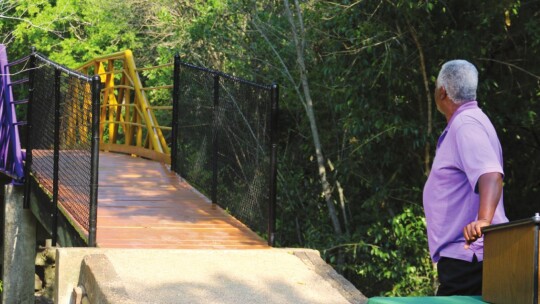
{"points": [[460, 80]]}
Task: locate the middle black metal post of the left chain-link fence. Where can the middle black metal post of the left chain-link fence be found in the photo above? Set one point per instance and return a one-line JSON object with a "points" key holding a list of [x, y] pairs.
{"points": [[56, 155]]}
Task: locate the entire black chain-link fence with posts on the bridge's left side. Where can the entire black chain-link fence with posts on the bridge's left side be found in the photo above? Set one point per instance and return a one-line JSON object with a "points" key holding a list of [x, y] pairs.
{"points": [[63, 139]]}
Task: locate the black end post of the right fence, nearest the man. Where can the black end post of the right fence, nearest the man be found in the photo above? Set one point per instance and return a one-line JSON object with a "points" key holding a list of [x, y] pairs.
{"points": [[273, 166]]}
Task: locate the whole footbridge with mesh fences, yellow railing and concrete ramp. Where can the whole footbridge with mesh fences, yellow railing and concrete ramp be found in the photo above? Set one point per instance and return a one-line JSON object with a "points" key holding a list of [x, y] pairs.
{"points": [[155, 235]]}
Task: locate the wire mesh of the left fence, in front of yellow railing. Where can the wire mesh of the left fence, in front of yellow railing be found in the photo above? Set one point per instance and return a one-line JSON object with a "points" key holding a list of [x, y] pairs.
{"points": [[74, 136]]}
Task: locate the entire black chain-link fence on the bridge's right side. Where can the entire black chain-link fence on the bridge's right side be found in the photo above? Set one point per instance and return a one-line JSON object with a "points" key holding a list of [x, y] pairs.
{"points": [[223, 142]]}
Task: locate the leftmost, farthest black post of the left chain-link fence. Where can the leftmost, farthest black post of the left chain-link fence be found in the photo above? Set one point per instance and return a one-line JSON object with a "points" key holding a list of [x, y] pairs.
{"points": [[28, 159]]}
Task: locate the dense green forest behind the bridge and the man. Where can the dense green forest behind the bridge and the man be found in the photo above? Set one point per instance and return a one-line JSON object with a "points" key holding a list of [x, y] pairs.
{"points": [[358, 125]]}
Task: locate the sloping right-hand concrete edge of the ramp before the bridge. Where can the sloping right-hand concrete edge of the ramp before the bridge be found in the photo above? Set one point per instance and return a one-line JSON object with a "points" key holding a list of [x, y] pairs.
{"points": [[312, 259]]}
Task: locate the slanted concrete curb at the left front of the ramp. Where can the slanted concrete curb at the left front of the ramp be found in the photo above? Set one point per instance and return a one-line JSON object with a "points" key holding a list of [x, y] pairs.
{"points": [[110, 289]]}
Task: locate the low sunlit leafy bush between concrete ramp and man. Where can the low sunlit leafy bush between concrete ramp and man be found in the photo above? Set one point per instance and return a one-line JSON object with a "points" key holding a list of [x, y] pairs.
{"points": [[394, 254]]}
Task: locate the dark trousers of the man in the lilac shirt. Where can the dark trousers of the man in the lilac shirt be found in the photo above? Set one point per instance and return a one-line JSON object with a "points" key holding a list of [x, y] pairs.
{"points": [[458, 277]]}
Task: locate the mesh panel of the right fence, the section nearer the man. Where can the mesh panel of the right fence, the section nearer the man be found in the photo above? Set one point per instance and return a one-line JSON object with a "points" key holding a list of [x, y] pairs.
{"points": [[244, 151]]}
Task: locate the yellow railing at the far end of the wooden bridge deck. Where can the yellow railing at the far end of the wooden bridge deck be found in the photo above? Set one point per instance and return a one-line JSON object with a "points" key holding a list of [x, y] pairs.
{"points": [[128, 123]]}
